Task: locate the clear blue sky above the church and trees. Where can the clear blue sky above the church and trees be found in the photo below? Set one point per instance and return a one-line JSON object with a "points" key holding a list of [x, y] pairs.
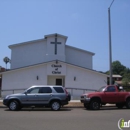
{"points": [[85, 22]]}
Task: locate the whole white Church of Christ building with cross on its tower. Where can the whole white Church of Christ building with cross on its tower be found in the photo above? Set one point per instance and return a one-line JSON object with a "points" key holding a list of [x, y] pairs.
{"points": [[49, 61]]}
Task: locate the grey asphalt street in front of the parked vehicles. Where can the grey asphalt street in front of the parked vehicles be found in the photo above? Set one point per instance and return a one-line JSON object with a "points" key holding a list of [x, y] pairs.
{"points": [[65, 119]]}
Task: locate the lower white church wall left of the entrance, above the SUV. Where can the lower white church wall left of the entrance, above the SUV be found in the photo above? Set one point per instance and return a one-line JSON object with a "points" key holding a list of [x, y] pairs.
{"points": [[24, 78]]}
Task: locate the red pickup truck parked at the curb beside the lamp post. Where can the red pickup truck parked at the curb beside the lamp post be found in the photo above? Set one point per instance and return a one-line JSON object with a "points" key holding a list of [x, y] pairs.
{"points": [[107, 94]]}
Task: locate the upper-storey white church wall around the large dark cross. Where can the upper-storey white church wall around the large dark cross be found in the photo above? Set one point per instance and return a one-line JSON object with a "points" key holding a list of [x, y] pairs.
{"points": [[39, 51]]}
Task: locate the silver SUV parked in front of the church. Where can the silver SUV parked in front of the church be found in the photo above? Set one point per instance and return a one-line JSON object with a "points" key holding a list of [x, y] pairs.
{"points": [[38, 96]]}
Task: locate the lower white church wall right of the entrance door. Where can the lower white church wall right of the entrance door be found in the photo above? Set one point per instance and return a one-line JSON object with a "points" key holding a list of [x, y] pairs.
{"points": [[85, 79]]}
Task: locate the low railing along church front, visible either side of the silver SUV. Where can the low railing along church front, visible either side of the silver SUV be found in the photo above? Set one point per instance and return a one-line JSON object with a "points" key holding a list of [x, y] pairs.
{"points": [[75, 92]]}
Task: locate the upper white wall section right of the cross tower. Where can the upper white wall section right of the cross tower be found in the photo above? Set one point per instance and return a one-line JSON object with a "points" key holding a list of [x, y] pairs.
{"points": [[79, 57]]}
